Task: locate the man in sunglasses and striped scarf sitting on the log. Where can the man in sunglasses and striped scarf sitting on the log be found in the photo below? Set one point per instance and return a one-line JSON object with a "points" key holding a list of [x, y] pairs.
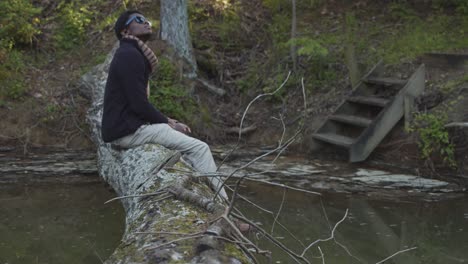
{"points": [[129, 119]]}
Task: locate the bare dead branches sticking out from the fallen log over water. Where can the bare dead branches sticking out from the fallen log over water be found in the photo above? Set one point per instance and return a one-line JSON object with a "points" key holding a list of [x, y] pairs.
{"points": [[225, 220]]}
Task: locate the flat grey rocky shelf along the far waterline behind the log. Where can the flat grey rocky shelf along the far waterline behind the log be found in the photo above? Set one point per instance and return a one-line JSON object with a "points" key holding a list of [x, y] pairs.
{"points": [[328, 177]]}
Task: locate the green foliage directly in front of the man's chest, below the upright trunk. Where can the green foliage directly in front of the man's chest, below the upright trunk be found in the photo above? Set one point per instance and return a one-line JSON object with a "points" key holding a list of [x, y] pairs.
{"points": [[169, 95]]}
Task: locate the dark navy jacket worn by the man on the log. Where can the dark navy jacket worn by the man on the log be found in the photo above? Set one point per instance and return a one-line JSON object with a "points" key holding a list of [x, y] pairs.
{"points": [[126, 105]]}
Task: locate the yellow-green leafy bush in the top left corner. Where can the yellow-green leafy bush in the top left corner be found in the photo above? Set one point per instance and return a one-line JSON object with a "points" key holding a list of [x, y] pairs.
{"points": [[19, 21]]}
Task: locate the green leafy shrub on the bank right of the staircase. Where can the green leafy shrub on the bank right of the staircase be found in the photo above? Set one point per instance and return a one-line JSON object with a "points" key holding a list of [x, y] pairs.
{"points": [[434, 137]]}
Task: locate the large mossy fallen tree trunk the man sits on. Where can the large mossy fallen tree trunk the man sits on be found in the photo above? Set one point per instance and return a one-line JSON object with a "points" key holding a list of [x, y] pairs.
{"points": [[168, 214]]}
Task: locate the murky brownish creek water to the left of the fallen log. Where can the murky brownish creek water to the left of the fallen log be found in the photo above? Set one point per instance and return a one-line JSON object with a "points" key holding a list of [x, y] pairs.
{"points": [[58, 224]]}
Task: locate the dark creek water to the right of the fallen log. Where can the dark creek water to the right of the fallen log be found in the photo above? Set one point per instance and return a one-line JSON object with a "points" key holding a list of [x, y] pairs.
{"points": [[372, 231]]}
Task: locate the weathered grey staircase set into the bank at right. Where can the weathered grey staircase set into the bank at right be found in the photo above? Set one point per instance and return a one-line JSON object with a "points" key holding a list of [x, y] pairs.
{"points": [[374, 107]]}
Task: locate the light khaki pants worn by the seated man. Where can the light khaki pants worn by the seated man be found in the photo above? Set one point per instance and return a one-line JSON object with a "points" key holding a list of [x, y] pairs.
{"points": [[195, 151]]}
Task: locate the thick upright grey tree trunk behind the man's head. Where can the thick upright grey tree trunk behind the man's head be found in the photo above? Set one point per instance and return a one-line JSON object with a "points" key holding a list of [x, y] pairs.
{"points": [[174, 30]]}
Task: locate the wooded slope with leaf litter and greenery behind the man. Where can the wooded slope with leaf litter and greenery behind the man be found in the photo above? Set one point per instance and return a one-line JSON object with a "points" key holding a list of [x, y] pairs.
{"points": [[244, 48]]}
